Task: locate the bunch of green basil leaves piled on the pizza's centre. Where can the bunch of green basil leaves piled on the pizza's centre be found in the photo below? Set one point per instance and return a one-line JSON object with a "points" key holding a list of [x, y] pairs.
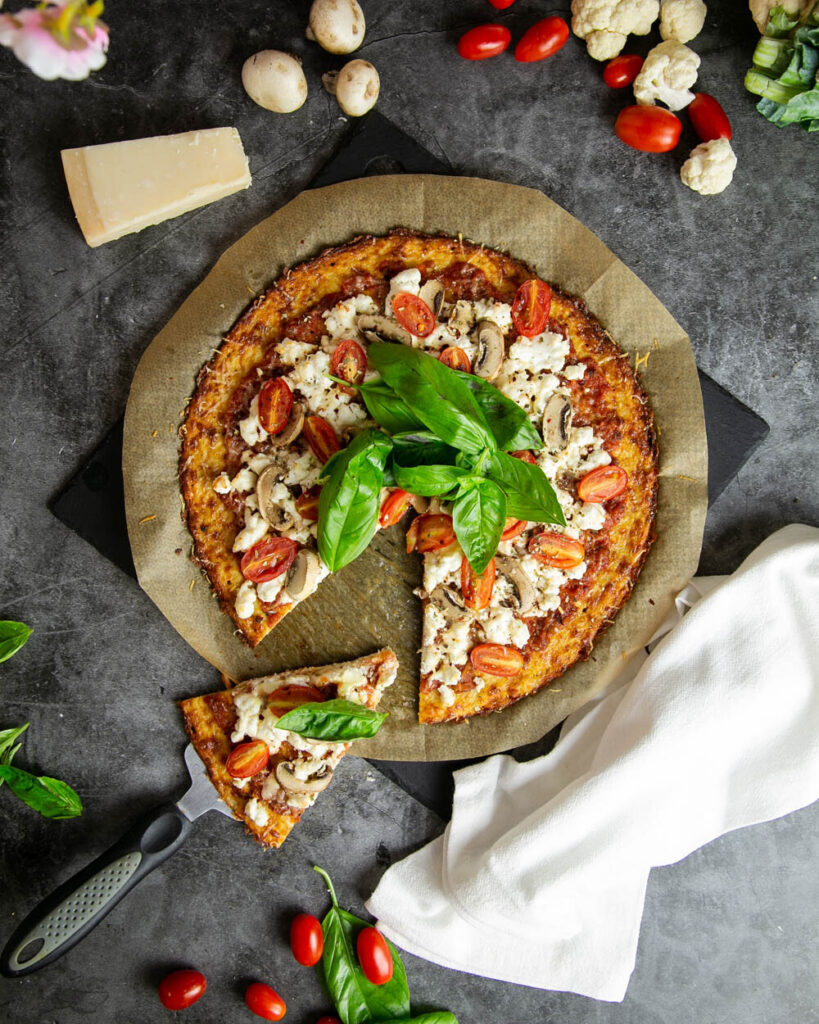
{"points": [[458, 456]]}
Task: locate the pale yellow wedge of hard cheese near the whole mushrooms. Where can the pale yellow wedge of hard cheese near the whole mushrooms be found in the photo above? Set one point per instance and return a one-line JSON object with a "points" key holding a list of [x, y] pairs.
{"points": [[122, 188]]}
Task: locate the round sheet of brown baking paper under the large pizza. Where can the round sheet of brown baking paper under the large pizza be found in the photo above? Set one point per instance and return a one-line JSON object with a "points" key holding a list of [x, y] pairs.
{"points": [[370, 605]]}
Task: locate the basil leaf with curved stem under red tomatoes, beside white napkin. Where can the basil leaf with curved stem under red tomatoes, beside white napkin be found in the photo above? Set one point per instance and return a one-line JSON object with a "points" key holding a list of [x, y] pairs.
{"points": [[357, 1000]]}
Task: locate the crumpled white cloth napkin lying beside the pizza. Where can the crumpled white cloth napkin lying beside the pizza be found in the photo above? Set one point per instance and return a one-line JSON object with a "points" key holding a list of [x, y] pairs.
{"points": [[540, 878]]}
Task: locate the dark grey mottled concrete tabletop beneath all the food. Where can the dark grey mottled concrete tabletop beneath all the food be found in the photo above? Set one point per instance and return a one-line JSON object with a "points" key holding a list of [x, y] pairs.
{"points": [[730, 935]]}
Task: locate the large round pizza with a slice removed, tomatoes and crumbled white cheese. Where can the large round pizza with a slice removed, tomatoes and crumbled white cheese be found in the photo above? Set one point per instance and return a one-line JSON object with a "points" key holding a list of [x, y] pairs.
{"points": [[267, 416]]}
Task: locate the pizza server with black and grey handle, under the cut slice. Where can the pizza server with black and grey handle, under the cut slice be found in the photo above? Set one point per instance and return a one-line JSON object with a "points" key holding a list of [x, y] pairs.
{"points": [[79, 905]]}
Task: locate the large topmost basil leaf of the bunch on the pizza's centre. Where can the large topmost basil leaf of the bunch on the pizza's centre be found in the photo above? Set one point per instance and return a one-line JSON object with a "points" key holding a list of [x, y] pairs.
{"points": [[436, 395]]}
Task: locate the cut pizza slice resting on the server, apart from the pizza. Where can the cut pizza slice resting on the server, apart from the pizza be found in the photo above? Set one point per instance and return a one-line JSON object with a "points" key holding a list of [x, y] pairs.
{"points": [[269, 777]]}
